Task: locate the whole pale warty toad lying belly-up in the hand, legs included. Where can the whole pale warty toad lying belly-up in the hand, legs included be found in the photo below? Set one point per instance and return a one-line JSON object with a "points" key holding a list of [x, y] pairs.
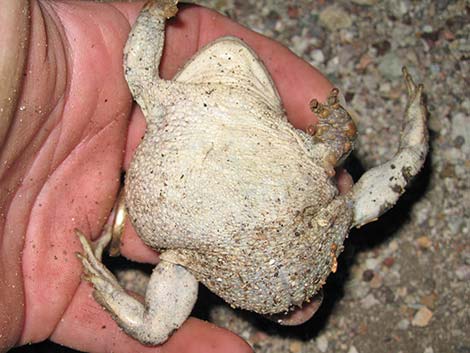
{"points": [[232, 194]]}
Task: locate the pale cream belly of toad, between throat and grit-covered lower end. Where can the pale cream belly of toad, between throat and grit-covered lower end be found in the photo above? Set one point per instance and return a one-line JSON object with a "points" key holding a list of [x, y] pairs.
{"points": [[223, 171]]}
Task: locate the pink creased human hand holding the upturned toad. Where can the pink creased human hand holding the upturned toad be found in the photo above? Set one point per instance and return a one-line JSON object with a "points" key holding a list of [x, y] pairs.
{"points": [[68, 127]]}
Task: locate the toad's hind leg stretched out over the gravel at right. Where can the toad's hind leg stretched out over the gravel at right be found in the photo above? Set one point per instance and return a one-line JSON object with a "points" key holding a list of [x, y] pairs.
{"points": [[379, 188]]}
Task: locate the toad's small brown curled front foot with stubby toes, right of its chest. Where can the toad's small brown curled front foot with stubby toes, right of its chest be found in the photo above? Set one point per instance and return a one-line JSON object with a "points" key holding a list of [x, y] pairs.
{"points": [[335, 132]]}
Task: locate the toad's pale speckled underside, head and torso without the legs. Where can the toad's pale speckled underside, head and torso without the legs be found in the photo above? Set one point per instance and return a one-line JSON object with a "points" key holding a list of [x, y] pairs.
{"points": [[244, 201]]}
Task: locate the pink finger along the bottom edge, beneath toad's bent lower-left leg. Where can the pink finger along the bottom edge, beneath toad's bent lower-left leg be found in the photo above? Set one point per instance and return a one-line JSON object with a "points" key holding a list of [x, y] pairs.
{"points": [[87, 327]]}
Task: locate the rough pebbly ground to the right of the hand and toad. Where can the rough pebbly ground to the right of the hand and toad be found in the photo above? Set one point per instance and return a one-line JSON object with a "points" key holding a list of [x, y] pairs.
{"points": [[403, 282]]}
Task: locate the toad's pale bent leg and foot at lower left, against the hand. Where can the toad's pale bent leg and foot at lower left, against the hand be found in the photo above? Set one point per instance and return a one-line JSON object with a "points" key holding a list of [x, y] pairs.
{"points": [[169, 298]]}
